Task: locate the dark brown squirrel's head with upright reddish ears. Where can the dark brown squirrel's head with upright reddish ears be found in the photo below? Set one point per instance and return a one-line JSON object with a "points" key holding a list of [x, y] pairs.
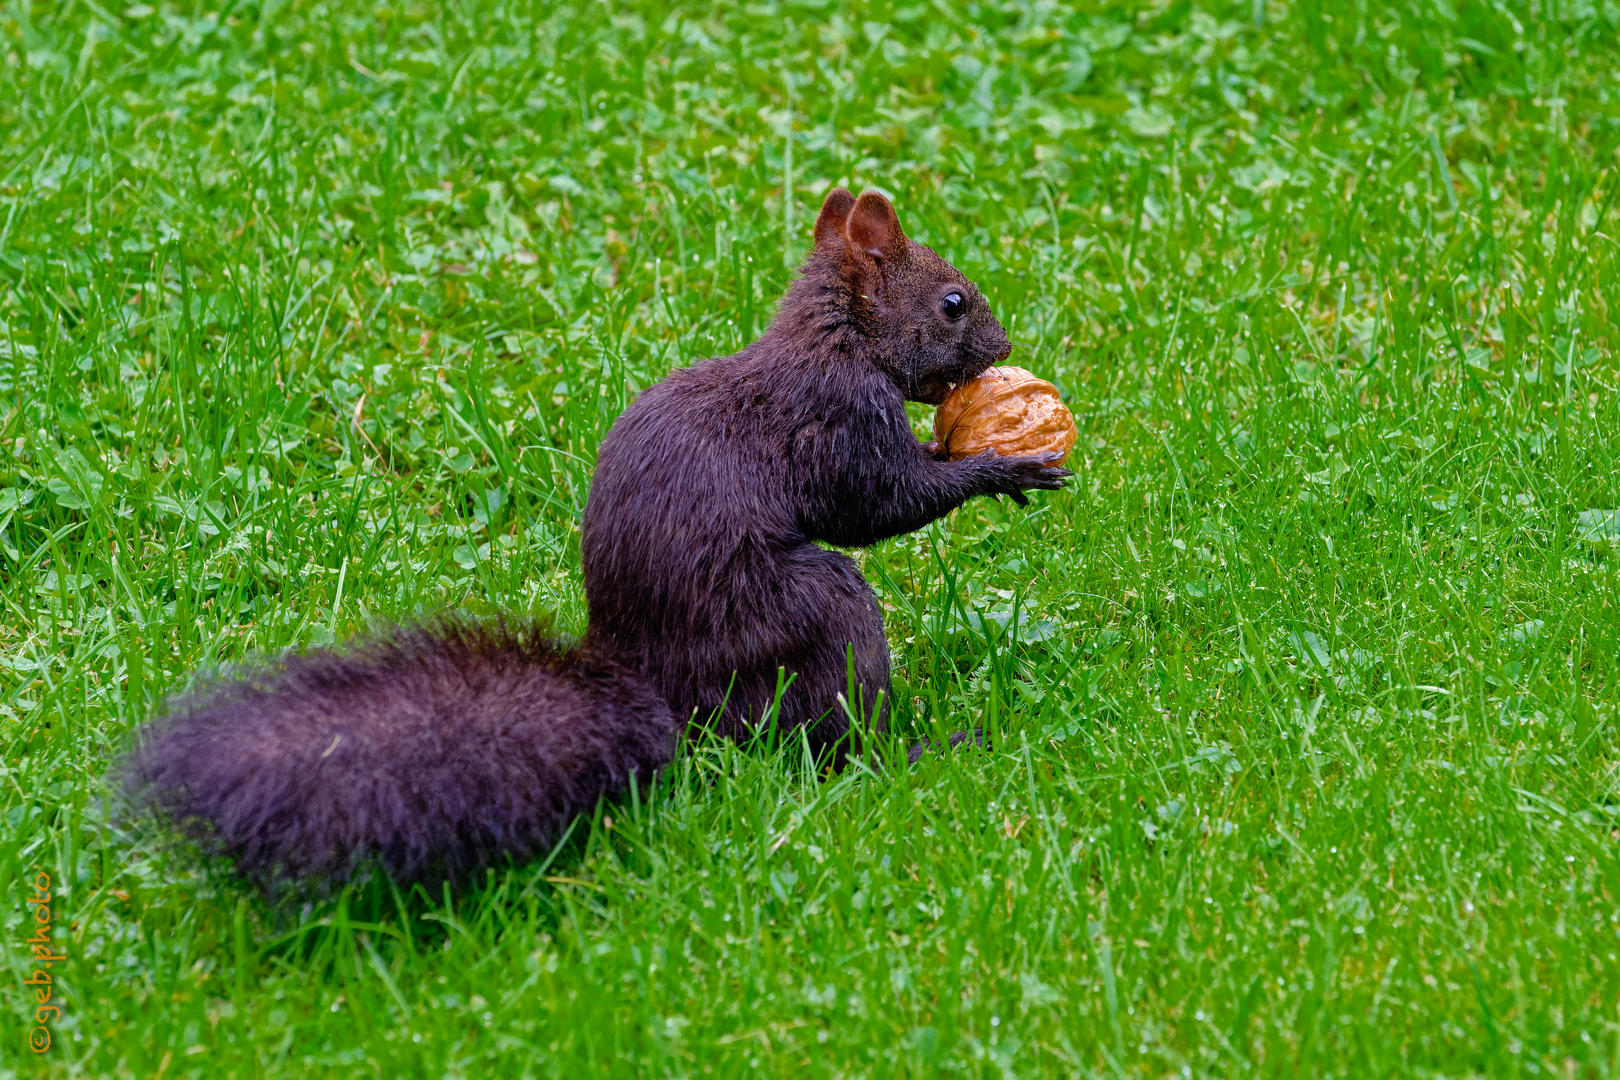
{"points": [[929, 325]]}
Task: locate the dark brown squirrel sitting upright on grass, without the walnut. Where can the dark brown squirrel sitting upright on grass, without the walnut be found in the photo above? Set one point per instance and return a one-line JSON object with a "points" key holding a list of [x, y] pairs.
{"points": [[437, 750]]}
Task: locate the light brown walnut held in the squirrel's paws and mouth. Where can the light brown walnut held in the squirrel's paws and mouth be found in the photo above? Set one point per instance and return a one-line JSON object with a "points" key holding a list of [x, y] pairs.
{"points": [[1007, 410]]}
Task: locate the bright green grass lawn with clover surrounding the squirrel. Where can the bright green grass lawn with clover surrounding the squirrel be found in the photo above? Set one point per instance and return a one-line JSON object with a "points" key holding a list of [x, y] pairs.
{"points": [[1303, 697]]}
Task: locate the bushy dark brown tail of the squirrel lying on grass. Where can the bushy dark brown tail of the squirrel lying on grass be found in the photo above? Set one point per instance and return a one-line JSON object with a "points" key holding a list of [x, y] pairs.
{"points": [[430, 750]]}
